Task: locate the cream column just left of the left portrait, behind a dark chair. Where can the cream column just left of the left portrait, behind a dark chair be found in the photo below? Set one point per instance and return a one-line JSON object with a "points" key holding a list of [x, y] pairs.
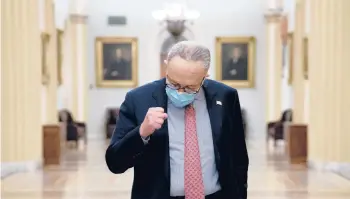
{"points": [[77, 80]]}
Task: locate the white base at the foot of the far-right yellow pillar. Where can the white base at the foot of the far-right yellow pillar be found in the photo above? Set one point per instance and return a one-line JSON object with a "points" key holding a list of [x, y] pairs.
{"points": [[342, 169]]}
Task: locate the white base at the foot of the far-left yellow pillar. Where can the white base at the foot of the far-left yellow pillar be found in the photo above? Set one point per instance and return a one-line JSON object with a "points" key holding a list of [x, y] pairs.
{"points": [[10, 168]]}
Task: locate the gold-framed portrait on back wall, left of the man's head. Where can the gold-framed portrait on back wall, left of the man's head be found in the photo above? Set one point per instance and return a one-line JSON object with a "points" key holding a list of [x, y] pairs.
{"points": [[113, 54]]}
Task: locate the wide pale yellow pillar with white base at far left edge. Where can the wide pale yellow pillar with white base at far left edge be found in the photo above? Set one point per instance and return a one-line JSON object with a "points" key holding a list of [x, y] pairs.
{"points": [[21, 87]]}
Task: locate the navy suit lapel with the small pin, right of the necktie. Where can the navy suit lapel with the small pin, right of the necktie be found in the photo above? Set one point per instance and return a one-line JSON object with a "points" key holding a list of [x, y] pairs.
{"points": [[215, 114]]}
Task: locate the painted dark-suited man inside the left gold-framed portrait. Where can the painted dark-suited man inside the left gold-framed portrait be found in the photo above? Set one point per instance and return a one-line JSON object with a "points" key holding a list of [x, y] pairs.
{"points": [[119, 69]]}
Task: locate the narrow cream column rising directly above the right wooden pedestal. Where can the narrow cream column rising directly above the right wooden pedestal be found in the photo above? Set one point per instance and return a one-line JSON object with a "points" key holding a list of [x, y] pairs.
{"points": [[298, 82]]}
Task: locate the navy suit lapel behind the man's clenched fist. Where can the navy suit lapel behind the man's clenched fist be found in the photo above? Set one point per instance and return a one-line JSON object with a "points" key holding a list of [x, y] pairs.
{"points": [[161, 100]]}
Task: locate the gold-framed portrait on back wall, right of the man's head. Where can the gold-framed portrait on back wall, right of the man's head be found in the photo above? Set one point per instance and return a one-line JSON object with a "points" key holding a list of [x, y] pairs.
{"points": [[243, 75]]}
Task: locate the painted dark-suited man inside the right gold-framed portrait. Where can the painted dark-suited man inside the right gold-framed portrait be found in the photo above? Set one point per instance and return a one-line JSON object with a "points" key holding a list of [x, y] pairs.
{"points": [[236, 68]]}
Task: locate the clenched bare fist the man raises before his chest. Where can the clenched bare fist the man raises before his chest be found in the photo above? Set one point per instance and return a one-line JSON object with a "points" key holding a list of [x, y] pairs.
{"points": [[154, 119]]}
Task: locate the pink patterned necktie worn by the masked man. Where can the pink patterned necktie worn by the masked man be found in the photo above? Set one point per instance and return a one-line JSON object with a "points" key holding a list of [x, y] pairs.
{"points": [[194, 187]]}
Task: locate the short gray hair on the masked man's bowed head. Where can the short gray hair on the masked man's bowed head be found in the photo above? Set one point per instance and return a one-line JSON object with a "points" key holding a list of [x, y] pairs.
{"points": [[190, 51]]}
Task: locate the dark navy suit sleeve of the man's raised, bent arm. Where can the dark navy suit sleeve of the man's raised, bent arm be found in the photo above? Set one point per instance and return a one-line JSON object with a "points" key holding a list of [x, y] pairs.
{"points": [[126, 143]]}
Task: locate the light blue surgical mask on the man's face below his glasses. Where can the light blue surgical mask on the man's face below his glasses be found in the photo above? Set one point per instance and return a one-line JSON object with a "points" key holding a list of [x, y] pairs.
{"points": [[179, 100]]}
